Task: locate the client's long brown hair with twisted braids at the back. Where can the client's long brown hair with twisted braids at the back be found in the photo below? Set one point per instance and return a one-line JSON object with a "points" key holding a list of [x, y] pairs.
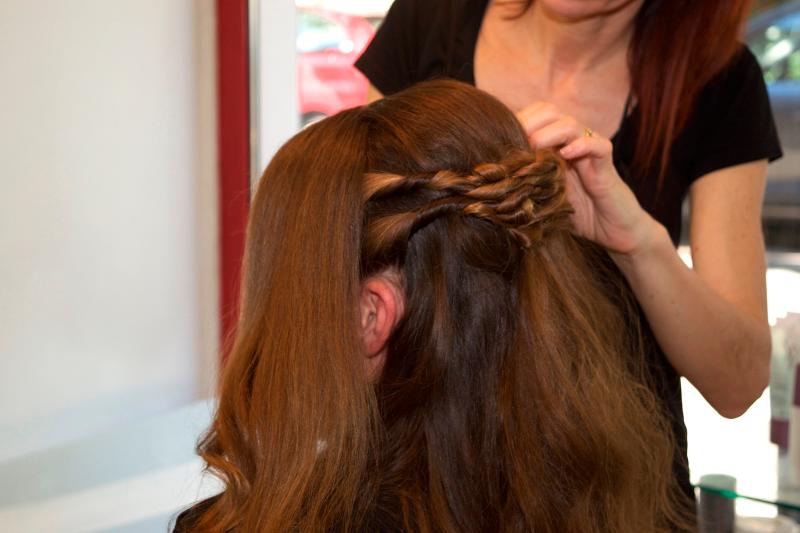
{"points": [[513, 396]]}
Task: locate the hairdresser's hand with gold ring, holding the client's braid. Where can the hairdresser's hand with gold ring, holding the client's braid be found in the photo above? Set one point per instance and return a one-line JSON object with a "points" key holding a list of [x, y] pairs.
{"points": [[606, 210]]}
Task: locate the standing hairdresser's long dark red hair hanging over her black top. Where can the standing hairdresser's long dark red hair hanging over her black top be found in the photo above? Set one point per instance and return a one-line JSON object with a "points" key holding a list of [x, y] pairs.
{"points": [[677, 47]]}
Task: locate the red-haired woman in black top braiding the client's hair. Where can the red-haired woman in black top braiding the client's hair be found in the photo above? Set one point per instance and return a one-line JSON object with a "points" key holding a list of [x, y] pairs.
{"points": [[665, 90]]}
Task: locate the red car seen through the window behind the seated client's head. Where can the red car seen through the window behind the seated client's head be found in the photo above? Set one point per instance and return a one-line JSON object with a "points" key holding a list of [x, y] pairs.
{"points": [[328, 43]]}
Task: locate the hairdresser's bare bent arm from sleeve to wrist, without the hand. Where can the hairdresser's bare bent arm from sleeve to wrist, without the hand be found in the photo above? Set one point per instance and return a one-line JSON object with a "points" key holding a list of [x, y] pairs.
{"points": [[711, 320]]}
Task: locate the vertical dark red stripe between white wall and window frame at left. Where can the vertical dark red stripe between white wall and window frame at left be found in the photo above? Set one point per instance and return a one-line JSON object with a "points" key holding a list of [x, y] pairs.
{"points": [[233, 89]]}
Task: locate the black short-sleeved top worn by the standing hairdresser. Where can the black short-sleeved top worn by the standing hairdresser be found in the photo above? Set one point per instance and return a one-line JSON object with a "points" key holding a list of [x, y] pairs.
{"points": [[732, 124]]}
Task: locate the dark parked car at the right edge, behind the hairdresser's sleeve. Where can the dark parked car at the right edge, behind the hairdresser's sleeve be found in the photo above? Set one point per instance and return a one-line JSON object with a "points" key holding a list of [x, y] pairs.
{"points": [[774, 37]]}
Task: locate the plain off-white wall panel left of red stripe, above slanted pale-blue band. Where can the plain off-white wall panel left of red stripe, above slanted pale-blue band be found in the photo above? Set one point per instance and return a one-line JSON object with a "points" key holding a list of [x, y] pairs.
{"points": [[107, 213]]}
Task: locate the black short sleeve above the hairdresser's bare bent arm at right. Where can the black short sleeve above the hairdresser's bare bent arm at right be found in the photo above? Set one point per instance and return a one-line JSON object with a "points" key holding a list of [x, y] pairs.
{"points": [[734, 119]]}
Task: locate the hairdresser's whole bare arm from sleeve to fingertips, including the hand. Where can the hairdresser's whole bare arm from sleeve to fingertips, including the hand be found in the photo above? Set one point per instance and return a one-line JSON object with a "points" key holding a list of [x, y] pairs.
{"points": [[711, 321]]}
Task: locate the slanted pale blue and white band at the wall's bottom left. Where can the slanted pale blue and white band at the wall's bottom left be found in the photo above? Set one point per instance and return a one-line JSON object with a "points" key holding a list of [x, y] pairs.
{"points": [[132, 478]]}
